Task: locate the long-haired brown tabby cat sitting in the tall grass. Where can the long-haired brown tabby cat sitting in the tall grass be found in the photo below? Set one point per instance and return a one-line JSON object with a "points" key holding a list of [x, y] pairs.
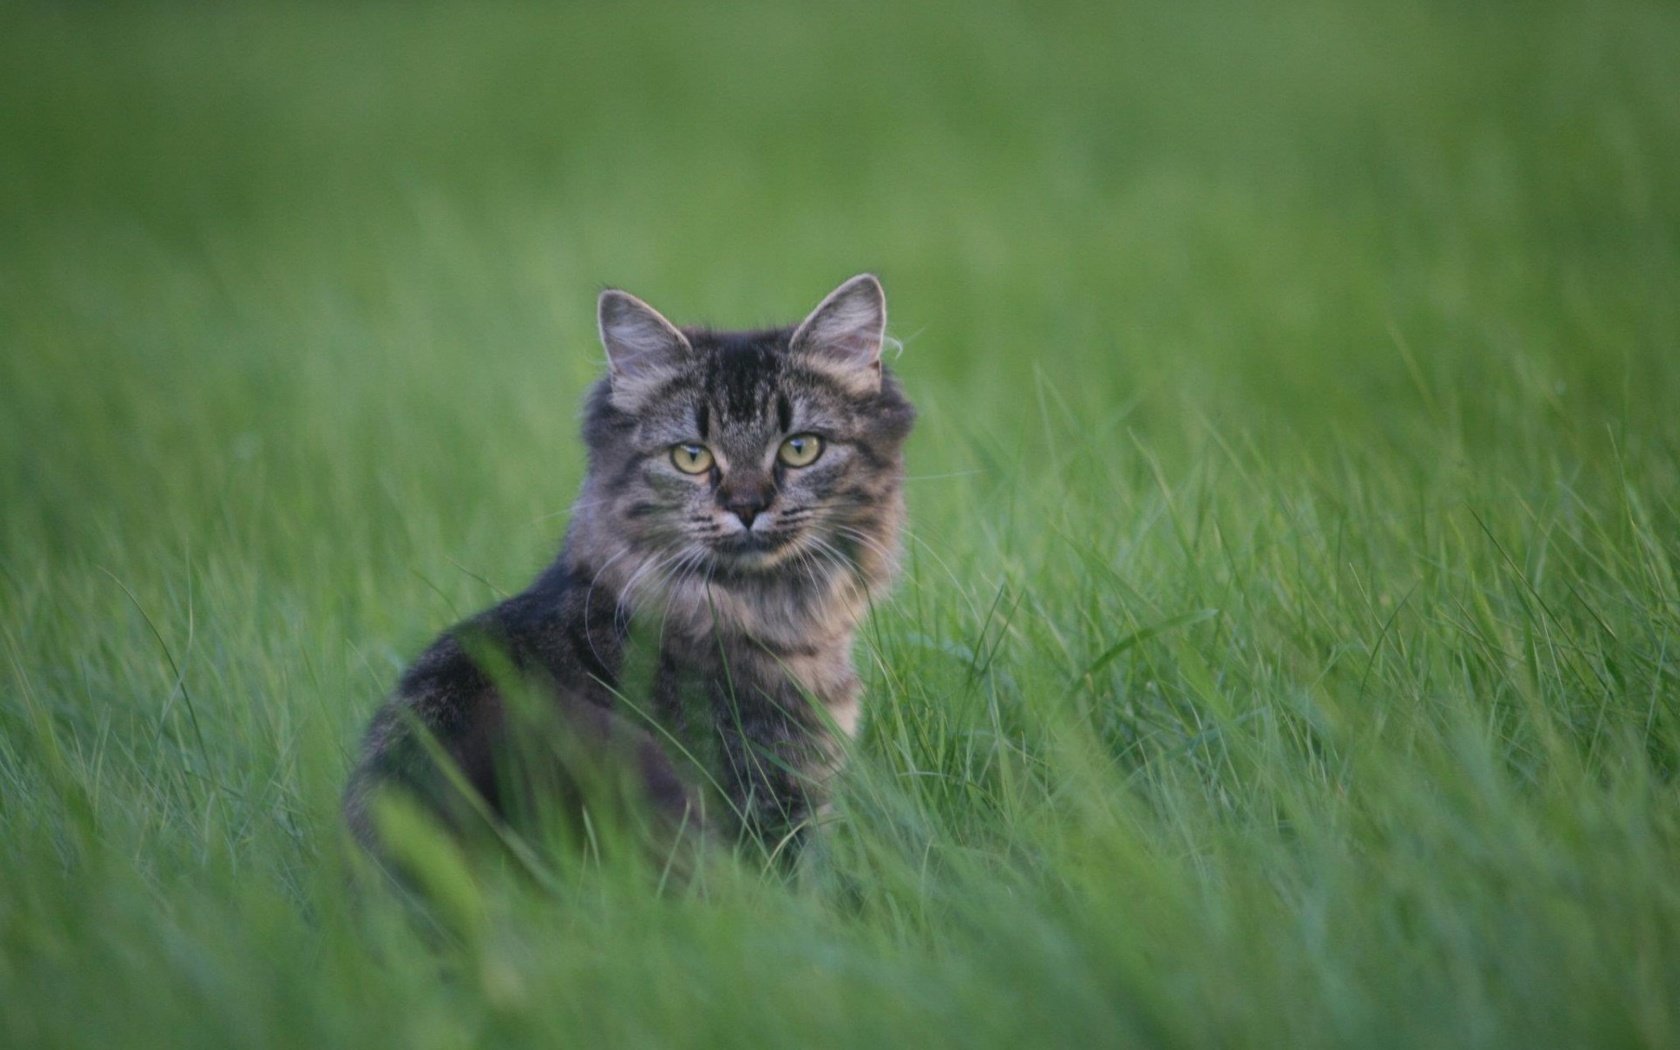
{"points": [[742, 505]]}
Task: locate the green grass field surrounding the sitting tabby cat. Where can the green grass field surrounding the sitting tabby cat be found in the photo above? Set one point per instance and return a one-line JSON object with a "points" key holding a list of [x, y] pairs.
{"points": [[1291, 644]]}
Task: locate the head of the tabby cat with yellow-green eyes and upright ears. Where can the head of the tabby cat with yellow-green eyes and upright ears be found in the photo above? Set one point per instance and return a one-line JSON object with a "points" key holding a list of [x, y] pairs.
{"points": [[750, 454]]}
